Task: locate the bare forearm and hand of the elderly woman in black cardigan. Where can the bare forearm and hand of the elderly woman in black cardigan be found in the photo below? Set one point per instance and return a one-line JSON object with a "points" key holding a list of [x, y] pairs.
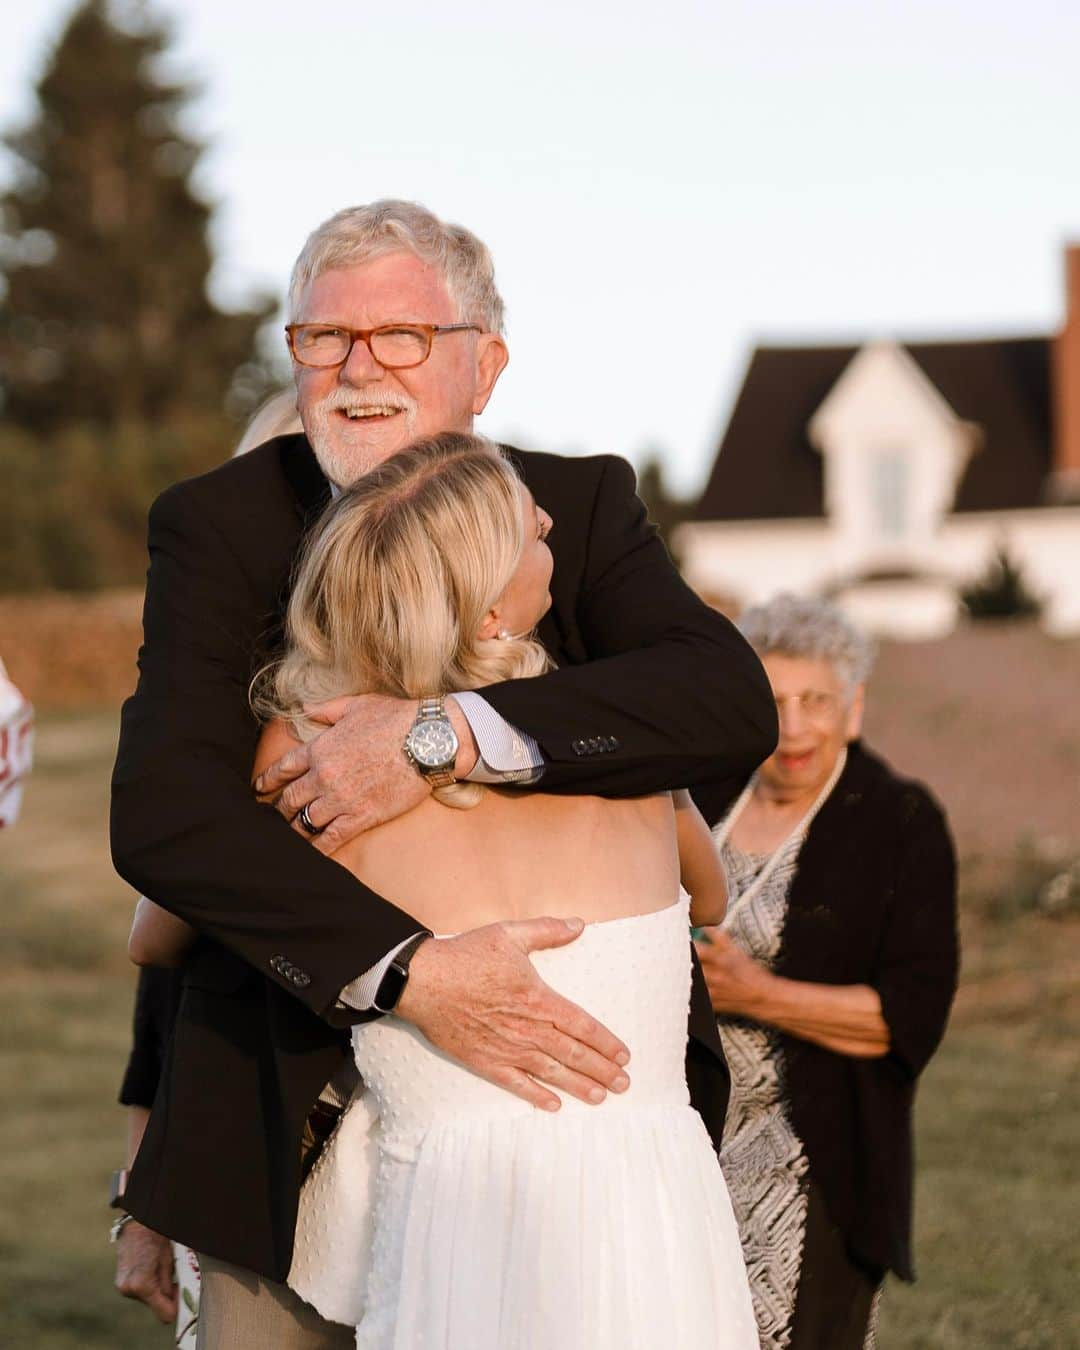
{"points": [[844, 1019]]}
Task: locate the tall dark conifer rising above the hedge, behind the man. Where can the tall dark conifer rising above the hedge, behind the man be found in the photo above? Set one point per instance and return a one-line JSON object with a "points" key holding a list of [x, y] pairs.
{"points": [[107, 318]]}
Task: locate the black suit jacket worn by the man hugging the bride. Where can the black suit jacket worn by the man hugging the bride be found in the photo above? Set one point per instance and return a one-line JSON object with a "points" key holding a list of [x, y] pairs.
{"points": [[643, 665]]}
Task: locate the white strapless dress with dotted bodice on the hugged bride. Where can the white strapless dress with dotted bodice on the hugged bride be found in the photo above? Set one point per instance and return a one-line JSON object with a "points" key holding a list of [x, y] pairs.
{"points": [[503, 1228]]}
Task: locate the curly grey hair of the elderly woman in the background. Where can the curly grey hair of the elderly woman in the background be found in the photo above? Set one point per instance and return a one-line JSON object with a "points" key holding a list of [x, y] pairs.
{"points": [[803, 626]]}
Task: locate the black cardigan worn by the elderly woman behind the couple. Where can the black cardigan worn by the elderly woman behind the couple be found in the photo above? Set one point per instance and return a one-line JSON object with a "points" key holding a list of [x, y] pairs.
{"points": [[873, 902]]}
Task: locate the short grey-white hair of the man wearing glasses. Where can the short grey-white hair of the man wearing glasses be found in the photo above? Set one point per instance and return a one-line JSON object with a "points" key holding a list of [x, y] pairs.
{"points": [[361, 234]]}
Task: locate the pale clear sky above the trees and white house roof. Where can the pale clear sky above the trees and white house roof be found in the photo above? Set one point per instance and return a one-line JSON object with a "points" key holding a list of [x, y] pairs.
{"points": [[661, 186]]}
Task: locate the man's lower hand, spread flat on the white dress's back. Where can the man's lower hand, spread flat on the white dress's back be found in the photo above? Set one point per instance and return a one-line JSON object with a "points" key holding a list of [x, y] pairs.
{"points": [[480, 1000]]}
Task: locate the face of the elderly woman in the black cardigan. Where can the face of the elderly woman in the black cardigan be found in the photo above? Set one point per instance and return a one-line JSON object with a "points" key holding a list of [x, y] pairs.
{"points": [[819, 716]]}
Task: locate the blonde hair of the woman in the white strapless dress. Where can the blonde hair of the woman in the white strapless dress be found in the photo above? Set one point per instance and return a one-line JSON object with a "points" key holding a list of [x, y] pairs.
{"points": [[395, 585]]}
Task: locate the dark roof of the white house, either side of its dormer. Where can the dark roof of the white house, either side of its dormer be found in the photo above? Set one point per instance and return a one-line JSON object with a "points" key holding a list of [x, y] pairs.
{"points": [[767, 469]]}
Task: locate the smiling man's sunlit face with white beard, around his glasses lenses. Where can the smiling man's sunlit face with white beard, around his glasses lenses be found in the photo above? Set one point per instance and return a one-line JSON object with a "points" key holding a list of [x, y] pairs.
{"points": [[360, 414]]}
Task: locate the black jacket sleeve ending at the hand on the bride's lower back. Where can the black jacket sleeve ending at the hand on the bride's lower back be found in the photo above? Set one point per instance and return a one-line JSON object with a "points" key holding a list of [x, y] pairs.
{"points": [[186, 827]]}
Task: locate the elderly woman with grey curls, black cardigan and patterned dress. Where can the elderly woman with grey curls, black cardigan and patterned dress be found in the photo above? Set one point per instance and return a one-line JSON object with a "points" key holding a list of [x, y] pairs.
{"points": [[832, 978]]}
